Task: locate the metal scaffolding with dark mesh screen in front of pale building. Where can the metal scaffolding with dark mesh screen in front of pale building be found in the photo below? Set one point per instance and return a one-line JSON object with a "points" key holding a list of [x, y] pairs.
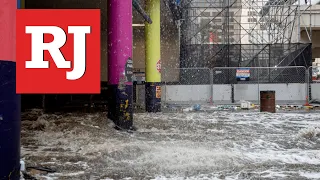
{"points": [[242, 33]]}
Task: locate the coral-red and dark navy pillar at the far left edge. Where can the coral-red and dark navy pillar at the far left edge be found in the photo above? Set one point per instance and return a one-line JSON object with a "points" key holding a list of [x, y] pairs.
{"points": [[9, 100]]}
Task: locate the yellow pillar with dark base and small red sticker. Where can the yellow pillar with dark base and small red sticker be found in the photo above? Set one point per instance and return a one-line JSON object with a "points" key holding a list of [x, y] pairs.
{"points": [[153, 59]]}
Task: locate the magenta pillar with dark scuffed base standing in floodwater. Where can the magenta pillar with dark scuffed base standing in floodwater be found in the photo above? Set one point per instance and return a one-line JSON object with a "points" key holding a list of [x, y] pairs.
{"points": [[120, 63]]}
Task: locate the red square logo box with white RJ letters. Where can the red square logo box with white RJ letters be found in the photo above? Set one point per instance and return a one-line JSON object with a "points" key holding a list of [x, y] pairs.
{"points": [[58, 51]]}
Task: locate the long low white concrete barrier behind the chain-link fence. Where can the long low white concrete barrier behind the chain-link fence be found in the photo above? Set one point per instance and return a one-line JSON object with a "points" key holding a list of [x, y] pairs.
{"points": [[293, 93]]}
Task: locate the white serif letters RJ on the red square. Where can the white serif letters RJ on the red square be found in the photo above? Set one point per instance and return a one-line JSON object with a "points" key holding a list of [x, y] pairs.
{"points": [[60, 38]]}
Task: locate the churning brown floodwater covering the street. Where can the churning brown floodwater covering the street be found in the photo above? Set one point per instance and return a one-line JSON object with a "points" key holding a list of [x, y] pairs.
{"points": [[194, 145]]}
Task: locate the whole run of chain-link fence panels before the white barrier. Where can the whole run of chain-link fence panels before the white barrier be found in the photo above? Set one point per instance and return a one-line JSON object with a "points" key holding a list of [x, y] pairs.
{"points": [[231, 85]]}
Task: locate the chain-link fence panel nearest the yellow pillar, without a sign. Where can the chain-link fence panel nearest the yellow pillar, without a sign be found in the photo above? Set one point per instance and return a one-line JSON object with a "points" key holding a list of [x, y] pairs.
{"points": [[186, 86]]}
